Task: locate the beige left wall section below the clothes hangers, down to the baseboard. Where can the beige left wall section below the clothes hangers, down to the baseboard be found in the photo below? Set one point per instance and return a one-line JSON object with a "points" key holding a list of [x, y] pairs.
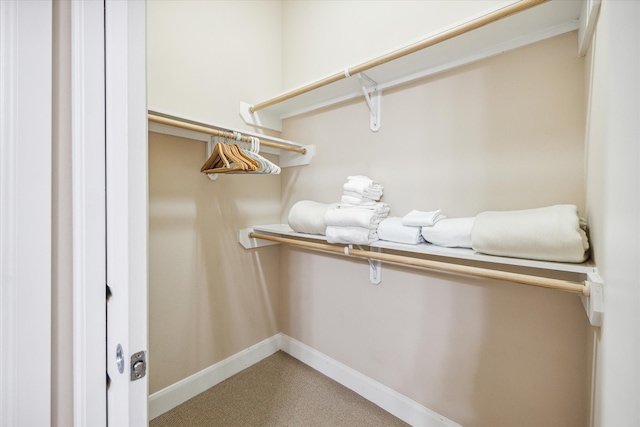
{"points": [[208, 297]]}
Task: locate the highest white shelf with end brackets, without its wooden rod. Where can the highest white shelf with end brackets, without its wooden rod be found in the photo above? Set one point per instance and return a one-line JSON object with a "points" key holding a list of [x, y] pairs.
{"points": [[540, 22]]}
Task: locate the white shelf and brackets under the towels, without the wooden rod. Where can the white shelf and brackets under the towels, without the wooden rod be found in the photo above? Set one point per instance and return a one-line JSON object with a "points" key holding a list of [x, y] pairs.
{"points": [[586, 271]]}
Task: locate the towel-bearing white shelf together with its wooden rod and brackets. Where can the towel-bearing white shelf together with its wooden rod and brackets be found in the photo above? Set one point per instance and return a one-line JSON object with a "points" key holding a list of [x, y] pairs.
{"points": [[589, 286]]}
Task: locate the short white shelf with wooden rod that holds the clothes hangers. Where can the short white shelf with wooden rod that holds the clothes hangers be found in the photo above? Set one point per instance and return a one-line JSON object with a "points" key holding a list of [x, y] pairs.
{"points": [[291, 153]]}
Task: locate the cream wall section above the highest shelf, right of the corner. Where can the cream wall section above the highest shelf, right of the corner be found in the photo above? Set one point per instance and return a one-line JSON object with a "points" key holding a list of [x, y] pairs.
{"points": [[333, 35]]}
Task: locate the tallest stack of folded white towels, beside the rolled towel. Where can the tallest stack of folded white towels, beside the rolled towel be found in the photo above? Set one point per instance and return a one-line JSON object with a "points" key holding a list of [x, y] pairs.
{"points": [[356, 218]]}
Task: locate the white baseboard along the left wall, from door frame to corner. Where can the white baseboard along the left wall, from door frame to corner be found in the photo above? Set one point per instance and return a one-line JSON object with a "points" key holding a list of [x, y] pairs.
{"points": [[178, 393]]}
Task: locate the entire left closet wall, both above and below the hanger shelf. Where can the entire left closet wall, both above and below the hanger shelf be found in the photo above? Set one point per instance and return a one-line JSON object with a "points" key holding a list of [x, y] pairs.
{"points": [[208, 298]]}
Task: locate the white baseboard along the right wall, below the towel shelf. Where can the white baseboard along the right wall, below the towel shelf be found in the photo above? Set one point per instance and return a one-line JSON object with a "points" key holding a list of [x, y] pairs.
{"points": [[391, 401]]}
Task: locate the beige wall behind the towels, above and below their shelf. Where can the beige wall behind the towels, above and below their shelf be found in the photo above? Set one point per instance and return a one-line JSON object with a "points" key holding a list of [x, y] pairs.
{"points": [[505, 133]]}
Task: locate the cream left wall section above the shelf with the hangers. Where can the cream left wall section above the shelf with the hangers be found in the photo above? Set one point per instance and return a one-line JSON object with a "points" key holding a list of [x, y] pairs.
{"points": [[204, 57]]}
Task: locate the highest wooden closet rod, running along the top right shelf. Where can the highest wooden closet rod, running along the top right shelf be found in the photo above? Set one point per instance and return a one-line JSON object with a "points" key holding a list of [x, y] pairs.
{"points": [[433, 40]]}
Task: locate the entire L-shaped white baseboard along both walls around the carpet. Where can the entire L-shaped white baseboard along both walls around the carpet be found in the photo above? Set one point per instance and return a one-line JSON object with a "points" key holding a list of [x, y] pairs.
{"points": [[391, 401]]}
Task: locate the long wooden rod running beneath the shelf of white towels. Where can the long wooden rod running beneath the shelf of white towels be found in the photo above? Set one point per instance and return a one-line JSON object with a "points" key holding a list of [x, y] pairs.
{"points": [[582, 288]]}
